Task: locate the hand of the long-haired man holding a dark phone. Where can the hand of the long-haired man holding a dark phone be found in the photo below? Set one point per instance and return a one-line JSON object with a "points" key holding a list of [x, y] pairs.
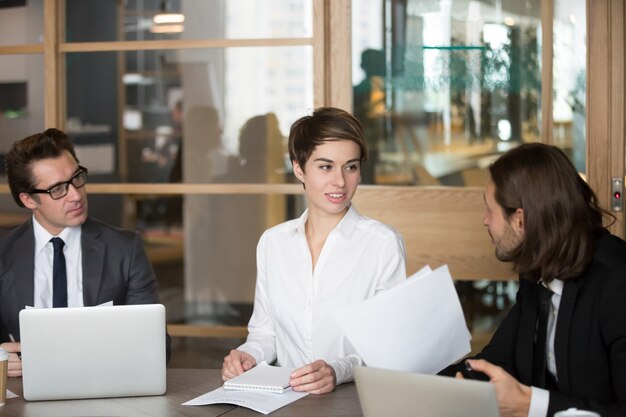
{"points": [[513, 398]]}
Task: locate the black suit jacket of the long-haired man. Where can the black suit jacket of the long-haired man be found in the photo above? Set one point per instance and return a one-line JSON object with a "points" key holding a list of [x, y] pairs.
{"points": [[590, 339]]}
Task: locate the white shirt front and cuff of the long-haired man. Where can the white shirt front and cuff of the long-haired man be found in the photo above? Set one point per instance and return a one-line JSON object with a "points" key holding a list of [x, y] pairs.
{"points": [[540, 398]]}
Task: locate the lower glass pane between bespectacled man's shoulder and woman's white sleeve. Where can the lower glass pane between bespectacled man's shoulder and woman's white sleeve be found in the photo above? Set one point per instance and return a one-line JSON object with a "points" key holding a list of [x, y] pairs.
{"points": [[212, 279]]}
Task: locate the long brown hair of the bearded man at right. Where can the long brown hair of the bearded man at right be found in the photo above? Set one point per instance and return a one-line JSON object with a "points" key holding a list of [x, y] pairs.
{"points": [[562, 218]]}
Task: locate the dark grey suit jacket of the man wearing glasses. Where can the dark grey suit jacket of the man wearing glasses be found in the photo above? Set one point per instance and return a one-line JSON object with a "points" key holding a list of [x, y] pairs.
{"points": [[115, 268]]}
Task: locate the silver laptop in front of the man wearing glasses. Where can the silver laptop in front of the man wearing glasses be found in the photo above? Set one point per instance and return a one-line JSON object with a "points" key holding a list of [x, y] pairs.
{"points": [[93, 352]]}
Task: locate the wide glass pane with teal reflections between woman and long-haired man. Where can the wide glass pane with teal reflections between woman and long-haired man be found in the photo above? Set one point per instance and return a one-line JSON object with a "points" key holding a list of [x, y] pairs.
{"points": [[443, 87]]}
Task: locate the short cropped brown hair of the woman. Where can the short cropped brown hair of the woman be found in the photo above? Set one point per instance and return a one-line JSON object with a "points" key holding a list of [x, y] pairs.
{"points": [[324, 124]]}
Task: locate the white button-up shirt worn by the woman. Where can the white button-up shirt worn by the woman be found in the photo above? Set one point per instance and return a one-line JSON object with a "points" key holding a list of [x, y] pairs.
{"points": [[293, 307]]}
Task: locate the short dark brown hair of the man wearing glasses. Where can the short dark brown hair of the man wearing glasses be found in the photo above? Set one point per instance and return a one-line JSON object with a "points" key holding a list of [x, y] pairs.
{"points": [[48, 144]]}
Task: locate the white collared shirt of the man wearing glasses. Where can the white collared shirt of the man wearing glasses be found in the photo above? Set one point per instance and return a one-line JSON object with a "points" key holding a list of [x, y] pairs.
{"points": [[44, 255]]}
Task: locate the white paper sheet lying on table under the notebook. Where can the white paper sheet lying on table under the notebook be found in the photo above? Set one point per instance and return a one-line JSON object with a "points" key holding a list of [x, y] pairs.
{"points": [[263, 402]]}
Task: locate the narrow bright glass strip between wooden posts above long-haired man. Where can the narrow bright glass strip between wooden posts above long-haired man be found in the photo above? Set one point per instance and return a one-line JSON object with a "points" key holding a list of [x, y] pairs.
{"points": [[569, 81]]}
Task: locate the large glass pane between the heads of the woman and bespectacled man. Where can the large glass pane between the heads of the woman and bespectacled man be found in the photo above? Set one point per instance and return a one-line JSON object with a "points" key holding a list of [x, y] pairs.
{"points": [[196, 116]]}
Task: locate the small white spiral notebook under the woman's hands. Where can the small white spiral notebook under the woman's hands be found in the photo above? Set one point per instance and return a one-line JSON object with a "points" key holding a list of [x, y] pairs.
{"points": [[262, 377]]}
